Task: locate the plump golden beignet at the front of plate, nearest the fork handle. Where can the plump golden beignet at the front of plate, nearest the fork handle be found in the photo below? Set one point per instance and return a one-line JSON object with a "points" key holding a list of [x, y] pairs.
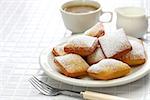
{"points": [[108, 69]]}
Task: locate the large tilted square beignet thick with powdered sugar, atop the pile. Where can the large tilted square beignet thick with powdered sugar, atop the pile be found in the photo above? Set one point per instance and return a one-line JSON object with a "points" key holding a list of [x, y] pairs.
{"points": [[115, 45]]}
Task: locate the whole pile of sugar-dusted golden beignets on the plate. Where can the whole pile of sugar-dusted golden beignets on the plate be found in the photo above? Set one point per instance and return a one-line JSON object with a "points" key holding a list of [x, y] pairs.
{"points": [[98, 54]]}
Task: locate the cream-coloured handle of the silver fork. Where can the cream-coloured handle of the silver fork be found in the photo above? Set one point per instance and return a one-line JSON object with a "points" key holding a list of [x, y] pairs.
{"points": [[99, 96]]}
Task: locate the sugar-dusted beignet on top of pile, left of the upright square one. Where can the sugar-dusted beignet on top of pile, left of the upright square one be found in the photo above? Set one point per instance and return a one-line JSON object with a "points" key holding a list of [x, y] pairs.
{"points": [[81, 44]]}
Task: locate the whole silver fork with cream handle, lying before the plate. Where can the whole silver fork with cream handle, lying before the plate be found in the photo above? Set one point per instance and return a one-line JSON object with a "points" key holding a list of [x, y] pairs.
{"points": [[48, 90]]}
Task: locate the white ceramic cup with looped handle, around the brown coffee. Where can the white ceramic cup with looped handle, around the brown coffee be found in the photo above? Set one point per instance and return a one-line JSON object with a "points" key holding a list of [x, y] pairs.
{"points": [[80, 22]]}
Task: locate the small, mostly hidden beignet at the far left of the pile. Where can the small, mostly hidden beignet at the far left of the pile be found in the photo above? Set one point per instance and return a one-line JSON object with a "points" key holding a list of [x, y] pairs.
{"points": [[59, 50]]}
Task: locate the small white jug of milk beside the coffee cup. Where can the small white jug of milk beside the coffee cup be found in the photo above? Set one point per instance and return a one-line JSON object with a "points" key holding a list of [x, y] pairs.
{"points": [[133, 20]]}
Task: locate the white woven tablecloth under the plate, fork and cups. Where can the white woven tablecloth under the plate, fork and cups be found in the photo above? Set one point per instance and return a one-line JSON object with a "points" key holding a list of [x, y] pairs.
{"points": [[29, 26]]}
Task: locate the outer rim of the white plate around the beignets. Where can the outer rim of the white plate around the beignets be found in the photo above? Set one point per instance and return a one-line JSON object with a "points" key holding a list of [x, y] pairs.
{"points": [[88, 83]]}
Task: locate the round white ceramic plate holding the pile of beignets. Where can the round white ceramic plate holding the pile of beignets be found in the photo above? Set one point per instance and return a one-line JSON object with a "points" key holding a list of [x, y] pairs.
{"points": [[49, 67]]}
